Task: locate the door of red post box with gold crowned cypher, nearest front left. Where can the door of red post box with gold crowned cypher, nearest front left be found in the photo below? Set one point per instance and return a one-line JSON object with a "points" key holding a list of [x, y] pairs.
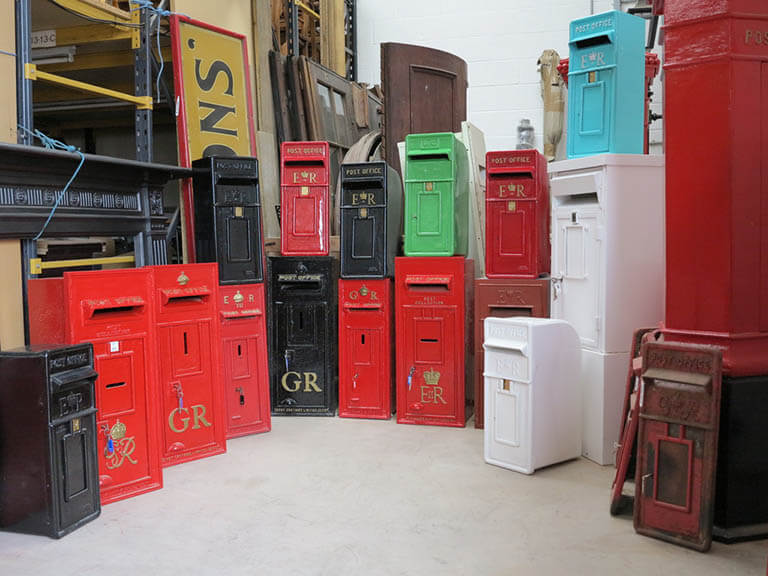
{"points": [[124, 415]]}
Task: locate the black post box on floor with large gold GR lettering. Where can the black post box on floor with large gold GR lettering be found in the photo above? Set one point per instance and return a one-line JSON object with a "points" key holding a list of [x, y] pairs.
{"points": [[303, 335]]}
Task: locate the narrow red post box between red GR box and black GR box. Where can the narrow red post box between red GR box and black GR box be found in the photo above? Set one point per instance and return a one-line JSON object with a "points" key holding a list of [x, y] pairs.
{"points": [[244, 354]]}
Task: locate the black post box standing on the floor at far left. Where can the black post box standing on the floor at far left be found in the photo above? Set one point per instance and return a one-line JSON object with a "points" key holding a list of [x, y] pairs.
{"points": [[49, 479]]}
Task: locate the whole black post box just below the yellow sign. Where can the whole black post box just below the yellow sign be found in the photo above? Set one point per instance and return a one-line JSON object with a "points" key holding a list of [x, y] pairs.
{"points": [[228, 217]]}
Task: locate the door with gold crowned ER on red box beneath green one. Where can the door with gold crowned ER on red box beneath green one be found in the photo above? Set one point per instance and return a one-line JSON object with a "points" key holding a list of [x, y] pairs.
{"points": [[433, 387]]}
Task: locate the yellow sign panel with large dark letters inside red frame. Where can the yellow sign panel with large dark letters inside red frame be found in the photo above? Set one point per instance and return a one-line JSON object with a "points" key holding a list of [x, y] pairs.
{"points": [[215, 92]]}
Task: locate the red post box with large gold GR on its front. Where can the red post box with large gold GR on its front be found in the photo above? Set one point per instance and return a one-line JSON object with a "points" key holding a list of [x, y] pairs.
{"points": [[193, 422]]}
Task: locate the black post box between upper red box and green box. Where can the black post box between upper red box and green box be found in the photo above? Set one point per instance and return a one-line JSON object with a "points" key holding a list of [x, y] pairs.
{"points": [[371, 215]]}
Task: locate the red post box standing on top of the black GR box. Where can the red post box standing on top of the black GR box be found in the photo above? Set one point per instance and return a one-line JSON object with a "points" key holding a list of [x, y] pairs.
{"points": [[304, 199]]}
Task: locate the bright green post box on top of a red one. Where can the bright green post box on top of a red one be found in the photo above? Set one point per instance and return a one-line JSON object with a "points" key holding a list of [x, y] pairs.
{"points": [[436, 195]]}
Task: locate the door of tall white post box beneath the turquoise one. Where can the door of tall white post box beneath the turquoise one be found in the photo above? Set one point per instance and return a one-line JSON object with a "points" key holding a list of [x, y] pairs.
{"points": [[576, 295]]}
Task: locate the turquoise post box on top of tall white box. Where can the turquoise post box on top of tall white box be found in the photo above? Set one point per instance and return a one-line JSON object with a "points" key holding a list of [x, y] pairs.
{"points": [[606, 84]]}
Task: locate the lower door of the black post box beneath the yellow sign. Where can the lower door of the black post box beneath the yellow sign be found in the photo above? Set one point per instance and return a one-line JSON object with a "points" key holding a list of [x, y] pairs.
{"points": [[239, 243]]}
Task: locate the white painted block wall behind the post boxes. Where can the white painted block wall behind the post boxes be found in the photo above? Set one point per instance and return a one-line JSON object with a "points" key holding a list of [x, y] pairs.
{"points": [[500, 40]]}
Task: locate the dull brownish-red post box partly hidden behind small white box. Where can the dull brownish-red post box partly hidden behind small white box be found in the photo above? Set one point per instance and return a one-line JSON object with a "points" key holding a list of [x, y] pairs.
{"points": [[503, 298]]}
